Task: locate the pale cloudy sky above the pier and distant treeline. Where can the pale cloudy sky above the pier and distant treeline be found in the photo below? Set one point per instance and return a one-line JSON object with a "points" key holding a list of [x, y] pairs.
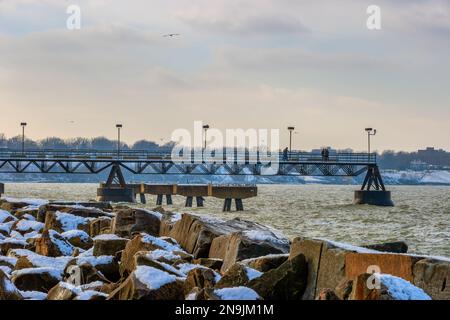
{"points": [[264, 64]]}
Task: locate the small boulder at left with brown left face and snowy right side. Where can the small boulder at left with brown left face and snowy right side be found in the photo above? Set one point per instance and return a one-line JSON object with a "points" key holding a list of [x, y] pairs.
{"points": [[52, 244]]}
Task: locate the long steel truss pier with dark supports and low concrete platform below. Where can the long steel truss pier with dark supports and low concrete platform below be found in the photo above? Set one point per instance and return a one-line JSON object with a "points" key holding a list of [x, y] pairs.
{"points": [[240, 163]]}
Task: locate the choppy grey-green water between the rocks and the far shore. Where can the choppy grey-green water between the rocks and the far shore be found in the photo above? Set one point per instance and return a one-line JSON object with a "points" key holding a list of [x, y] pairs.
{"points": [[420, 217]]}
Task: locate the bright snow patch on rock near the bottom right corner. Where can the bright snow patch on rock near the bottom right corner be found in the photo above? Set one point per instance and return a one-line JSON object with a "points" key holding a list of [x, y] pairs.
{"points": [[401, 289]]}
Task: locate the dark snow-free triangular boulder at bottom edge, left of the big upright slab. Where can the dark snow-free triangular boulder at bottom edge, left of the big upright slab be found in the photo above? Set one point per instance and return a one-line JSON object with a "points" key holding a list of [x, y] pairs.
{"points": [[287, 282]]}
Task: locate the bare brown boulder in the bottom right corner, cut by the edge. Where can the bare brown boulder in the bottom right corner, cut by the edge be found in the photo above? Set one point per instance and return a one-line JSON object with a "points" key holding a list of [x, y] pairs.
{"points": [[433, 276]]}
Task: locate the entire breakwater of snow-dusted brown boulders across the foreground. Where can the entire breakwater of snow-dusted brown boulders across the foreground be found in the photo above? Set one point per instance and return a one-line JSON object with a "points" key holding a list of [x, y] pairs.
{"points": [[93, 251]]}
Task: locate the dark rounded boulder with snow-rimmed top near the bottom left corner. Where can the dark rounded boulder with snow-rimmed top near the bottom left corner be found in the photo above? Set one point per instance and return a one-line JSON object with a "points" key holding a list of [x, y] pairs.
{"points": [[36, 279]]}
